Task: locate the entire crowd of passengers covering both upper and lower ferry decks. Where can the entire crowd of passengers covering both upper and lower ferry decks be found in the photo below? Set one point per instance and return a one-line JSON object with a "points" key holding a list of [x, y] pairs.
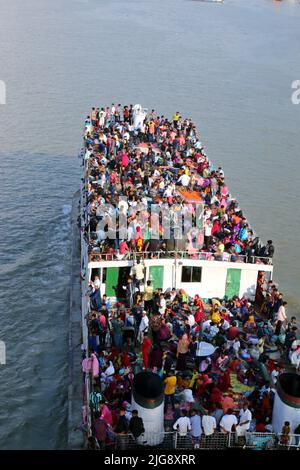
{"points": [[214, 357]]}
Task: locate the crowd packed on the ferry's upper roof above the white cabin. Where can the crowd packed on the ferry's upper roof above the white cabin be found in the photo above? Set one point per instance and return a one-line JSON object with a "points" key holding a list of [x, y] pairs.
{"points": [[145, 187]]}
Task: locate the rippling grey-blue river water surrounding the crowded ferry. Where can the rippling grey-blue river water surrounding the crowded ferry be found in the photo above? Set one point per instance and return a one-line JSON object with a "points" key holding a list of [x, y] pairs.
{"points": [[230, 67]]}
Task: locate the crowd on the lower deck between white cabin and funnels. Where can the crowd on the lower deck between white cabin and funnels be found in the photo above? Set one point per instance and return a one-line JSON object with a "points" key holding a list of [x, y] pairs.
{"points": [[230, 388]]}
